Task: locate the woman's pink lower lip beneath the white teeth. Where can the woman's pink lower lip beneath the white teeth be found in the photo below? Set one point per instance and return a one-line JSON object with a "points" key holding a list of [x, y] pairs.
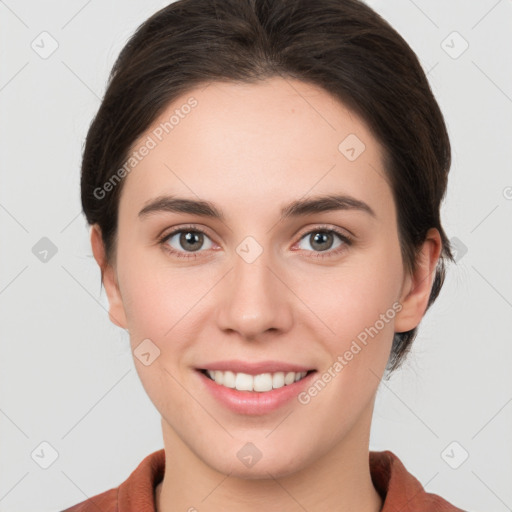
{"points": [[255, 402]]}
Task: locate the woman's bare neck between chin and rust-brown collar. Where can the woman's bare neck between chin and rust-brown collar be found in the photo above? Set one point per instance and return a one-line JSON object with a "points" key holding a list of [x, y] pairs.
{"points": [[339, 480]]}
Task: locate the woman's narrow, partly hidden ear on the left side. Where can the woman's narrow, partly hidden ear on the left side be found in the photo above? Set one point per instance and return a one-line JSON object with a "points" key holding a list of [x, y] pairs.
{"points": [[108, 278]]}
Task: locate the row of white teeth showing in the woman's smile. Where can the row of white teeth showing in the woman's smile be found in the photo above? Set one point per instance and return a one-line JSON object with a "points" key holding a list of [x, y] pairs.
{"points": [[260, 383]]}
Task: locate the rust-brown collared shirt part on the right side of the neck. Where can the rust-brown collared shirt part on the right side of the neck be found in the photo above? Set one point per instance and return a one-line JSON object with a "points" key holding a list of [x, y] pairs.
{"points": [[400, 490]]}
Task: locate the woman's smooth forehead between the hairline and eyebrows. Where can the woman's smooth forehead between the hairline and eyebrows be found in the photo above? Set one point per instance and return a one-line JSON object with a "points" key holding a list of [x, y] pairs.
{"points": [[240, 144]]}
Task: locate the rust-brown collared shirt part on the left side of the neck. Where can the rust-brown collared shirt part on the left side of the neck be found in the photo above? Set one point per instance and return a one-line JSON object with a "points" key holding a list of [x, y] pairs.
{"points": [[135, 494]]}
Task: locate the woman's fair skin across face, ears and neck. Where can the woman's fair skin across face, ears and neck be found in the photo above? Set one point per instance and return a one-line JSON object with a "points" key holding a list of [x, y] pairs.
{"points": [[251, 149]]}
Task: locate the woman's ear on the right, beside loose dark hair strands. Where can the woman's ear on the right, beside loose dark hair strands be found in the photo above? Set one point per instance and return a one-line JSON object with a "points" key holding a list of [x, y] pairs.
{"points": [[417, 286]]}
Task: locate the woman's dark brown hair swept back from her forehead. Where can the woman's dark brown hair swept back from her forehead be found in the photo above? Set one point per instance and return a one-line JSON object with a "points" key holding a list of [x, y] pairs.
{"points": [[342, 46]]}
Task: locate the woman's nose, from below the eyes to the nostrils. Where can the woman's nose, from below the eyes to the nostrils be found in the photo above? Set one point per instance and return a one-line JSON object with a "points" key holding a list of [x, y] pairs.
{"points": [[255, 298]]}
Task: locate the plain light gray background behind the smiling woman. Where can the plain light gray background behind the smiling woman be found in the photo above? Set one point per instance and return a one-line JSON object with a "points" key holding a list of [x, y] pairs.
{"points": [[66, 373]]}
